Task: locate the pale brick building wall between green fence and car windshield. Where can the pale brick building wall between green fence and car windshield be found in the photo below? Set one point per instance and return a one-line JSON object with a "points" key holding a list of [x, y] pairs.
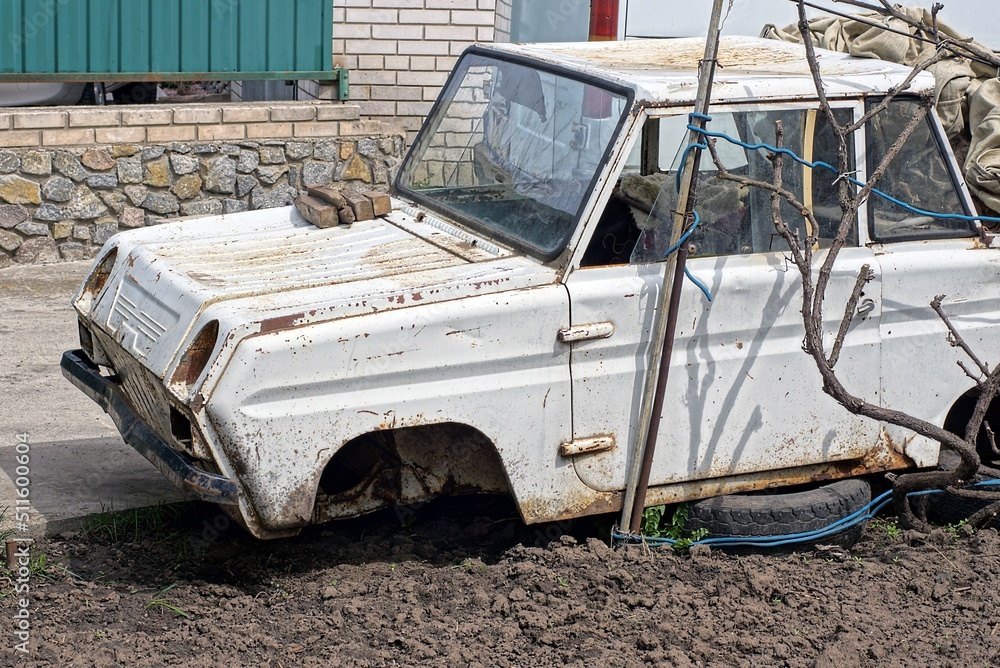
{"points": [[400, 52]]}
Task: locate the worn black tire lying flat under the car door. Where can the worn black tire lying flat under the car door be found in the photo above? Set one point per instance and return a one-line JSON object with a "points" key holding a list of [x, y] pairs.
{"points": [[779, 513]]}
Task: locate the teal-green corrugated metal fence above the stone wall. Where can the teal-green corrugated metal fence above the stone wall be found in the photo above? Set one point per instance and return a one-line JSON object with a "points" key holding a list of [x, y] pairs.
{"points": [[167, 40]]}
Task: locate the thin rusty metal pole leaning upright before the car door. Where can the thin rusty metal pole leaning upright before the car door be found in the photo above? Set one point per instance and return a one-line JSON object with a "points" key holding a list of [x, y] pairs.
{"points": [[665, 317]]}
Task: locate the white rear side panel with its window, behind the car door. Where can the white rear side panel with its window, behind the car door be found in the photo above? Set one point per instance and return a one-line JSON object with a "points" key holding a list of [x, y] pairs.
{"points": [[924, 257]]}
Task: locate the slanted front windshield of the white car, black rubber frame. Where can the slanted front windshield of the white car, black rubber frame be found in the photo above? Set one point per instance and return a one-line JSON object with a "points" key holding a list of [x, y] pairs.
{"points": [[514, 151]]}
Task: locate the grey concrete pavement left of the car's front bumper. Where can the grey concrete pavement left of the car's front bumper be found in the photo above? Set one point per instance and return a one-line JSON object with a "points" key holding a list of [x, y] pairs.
{"points": [[78, 464]]}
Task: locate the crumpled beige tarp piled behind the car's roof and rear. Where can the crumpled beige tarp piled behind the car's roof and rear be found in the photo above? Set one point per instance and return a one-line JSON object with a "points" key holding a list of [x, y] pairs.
{"points": [[967, 93]]}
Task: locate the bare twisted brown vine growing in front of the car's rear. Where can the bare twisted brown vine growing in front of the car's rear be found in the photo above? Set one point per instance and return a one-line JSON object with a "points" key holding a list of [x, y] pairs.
{"points": [[814, 296]]}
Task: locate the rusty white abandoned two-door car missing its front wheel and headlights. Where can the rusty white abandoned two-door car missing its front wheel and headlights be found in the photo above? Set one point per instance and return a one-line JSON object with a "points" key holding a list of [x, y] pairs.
{"points": [[492, 333]]}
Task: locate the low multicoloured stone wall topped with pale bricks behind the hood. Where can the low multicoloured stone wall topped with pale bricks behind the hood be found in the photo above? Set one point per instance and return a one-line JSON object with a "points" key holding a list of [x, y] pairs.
{"points": [[71, 178]]}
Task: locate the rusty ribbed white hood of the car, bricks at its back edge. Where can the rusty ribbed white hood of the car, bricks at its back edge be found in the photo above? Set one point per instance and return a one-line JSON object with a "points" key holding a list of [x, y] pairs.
{"points": [[271, 270]]}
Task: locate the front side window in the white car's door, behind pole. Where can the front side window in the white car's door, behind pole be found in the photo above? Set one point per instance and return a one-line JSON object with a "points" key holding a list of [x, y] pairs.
{"points": [[735, 219]]}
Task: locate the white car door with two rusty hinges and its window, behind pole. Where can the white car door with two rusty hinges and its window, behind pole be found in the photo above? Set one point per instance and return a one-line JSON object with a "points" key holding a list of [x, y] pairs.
{"points": [[742, 396]]}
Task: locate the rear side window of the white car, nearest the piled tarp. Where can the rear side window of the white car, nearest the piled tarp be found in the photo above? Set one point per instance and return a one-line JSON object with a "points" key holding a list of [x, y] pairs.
{"points": [[919, 176]]}
